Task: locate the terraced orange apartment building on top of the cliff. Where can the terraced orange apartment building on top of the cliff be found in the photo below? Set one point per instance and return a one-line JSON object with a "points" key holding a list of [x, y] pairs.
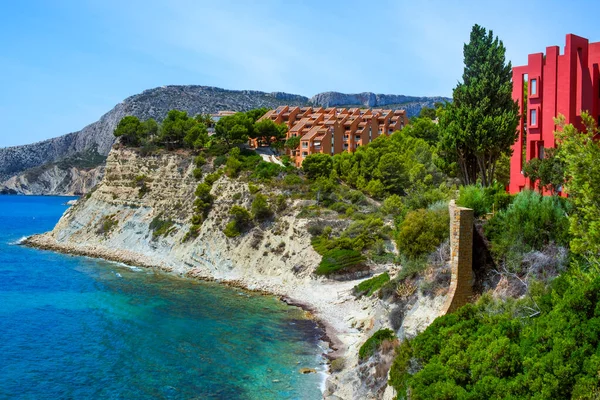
{"points": [[334, 130]]}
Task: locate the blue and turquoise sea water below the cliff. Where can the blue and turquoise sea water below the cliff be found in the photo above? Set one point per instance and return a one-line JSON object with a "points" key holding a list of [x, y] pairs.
{"points": [[79, 328]]}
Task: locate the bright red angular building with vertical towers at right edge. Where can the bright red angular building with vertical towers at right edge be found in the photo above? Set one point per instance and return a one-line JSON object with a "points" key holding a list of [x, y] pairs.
{"points": [[556, 84]]}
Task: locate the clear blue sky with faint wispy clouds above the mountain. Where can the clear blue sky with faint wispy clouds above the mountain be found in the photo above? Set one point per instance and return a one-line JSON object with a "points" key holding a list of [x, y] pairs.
{"points": [[64, 63]]}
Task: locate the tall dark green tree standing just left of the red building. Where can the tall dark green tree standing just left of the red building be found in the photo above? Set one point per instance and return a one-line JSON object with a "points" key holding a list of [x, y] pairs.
{"points": [[479, 126]]}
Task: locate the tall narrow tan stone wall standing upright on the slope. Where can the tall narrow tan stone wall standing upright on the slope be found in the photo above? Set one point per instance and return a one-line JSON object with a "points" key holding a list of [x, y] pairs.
{"points": [[461, 257]]}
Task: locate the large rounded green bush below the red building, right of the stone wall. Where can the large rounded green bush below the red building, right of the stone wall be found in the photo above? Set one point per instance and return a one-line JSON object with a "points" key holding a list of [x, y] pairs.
{"points": [[532, 222]]}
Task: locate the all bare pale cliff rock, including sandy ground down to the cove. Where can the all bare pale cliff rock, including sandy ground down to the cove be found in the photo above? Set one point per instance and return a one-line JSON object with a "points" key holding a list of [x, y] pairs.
{"points": [[119, 221]]}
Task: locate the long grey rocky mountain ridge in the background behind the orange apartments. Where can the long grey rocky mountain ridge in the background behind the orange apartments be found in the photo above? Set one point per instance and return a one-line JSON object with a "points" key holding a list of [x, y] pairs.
{"points": [[46, 168]]}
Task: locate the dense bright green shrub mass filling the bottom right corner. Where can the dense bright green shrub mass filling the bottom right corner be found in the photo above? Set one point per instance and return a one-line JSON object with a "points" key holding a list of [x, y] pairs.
{"points": [[543, 348]]}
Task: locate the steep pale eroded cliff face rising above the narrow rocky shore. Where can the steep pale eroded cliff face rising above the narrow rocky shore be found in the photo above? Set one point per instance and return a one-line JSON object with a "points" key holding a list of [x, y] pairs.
{"points": [[117, 217]]}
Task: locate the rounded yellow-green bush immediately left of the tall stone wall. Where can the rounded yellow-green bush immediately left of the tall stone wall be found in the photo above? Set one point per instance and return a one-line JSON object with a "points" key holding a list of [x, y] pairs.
{"points": [[422, 231]]}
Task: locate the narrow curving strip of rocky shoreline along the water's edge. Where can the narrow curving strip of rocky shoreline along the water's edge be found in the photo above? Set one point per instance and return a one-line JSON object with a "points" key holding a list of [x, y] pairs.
{"points": [[335, 346]]}
